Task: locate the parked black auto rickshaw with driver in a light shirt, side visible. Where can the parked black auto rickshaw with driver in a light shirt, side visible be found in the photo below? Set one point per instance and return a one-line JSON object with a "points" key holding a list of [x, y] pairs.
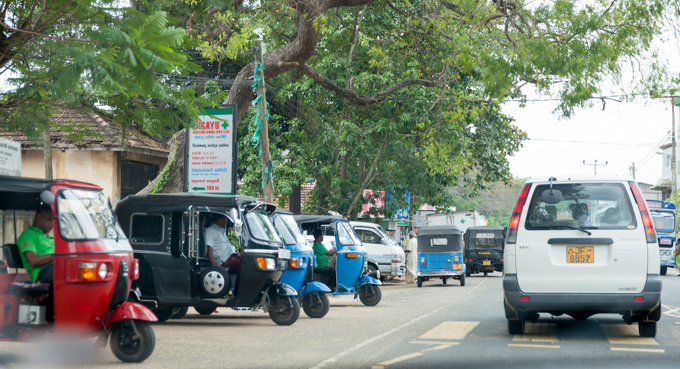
{"points": [[167, 233]]}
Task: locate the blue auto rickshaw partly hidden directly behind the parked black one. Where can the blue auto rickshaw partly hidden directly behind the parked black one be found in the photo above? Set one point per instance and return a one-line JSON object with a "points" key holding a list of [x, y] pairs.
{"points": [[300, 271]]}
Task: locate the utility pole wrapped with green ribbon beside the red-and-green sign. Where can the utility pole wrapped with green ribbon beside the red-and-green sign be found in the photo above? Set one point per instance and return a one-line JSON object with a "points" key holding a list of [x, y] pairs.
{"points": [[267, 181]]}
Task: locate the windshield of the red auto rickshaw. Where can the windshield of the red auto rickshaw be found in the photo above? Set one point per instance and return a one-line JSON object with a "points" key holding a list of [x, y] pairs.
{"points": [[86, 215]]}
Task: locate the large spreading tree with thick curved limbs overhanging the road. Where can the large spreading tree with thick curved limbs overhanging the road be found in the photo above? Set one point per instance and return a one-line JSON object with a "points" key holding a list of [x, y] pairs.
{"points": [[426, 76]]}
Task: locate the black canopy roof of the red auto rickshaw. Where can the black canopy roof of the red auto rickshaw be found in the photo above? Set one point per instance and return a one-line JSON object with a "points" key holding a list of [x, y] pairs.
{"points": [[20, 193]]}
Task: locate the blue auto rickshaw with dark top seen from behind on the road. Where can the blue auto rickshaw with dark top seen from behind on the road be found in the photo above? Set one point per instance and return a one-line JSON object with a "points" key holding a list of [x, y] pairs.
{"points": [[440, 254]]}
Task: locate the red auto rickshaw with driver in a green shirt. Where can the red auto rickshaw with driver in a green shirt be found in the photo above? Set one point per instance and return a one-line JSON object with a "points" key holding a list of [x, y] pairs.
{"points": [[93, 271]]}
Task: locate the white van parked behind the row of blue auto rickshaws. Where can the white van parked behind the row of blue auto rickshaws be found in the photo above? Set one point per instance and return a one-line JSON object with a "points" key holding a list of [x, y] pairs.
{"points": [[383, 253]]}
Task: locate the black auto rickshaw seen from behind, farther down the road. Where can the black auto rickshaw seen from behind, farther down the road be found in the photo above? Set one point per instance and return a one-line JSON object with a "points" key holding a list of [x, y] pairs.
{"points": [[484, 249]]}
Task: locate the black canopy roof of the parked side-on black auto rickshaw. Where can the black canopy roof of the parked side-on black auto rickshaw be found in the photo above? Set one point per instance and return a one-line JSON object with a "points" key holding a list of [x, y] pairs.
{"points": [[178, 202]]}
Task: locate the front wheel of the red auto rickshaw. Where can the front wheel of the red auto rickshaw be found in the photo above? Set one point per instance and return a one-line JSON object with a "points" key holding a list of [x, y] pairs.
{"points": [[130, 347]]}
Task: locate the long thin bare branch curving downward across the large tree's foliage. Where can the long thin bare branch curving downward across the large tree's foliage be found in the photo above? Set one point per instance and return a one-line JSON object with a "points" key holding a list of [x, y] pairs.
{"points": [[351, 95]]}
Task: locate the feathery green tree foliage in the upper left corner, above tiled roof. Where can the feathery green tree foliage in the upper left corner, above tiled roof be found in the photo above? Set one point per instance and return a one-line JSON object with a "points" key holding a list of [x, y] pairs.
{"points": [[93, 55]]}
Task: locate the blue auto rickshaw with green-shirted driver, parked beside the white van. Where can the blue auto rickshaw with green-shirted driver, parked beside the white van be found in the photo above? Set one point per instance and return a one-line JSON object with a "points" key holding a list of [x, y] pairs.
{"points": [[350, 276]]}
